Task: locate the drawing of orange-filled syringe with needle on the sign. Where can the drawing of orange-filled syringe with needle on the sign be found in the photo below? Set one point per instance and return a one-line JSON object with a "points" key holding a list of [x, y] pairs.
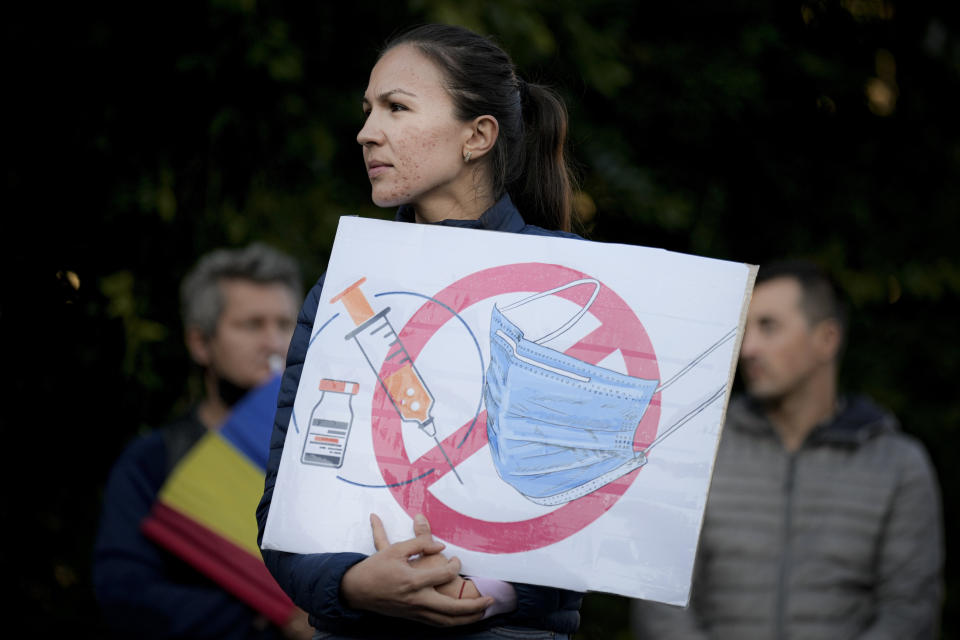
{"points": [[378, 342]]}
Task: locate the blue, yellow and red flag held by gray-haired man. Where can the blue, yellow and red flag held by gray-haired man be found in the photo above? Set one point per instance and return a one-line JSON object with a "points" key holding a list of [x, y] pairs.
{"points": [[206, 510]]}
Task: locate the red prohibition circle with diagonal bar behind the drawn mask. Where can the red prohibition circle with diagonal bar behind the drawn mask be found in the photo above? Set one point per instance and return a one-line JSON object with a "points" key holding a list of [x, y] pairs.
{"points": [[620, 329]]}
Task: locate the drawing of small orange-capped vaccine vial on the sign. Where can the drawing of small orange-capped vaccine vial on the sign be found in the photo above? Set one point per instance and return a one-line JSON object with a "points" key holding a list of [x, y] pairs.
{"points": [[330, 422]]}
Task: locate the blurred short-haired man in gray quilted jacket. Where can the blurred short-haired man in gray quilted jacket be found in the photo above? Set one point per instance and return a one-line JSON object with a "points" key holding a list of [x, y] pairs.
{"points": [[823, 519]]}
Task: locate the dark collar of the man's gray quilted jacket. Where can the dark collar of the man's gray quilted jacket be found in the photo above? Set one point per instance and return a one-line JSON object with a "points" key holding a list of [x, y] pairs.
{"points": [[857, 420]]}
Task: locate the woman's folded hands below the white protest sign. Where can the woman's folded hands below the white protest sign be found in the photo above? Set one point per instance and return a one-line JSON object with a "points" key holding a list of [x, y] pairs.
{"points": [[412, 579]]}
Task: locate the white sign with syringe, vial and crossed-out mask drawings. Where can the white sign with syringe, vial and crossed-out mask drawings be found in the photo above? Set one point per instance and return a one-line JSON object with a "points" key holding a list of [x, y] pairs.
{"points": [[552, 405]]}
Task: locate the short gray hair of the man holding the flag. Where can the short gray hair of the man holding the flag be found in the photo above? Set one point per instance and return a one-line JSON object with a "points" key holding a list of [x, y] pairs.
{"points": [[201, 299]]}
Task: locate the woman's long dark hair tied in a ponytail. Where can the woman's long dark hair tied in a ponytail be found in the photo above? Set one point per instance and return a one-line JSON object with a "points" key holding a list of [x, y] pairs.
{"points": [[527, 160]]}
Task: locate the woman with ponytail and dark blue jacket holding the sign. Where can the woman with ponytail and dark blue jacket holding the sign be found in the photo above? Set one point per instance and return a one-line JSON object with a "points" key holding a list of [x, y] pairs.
{"points": [[452, 137]]}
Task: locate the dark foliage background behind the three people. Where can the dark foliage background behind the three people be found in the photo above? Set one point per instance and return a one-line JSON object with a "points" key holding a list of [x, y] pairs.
{"points": [[139, 136]]}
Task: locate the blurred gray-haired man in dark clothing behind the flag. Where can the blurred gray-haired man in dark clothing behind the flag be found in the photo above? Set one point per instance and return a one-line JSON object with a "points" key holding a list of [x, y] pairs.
{"points": [[239, 309]]}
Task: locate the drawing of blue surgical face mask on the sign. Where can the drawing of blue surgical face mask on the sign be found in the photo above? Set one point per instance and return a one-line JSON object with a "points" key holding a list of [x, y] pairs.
{"points": [[559, 428]]}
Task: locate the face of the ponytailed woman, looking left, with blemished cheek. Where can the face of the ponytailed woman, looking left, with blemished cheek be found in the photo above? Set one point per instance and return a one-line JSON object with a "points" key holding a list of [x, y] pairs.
{"points": [[412, 143]]}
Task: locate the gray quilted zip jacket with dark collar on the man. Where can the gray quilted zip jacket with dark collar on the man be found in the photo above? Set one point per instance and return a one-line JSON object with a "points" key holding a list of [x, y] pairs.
{"points": [[842, 539]]}
